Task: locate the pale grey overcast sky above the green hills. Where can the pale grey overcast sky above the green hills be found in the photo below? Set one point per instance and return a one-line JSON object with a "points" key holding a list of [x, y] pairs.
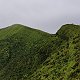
{"points": [[46, 15]]}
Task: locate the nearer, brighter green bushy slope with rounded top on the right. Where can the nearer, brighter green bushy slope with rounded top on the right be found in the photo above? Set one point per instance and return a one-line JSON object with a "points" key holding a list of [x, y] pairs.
{"points": [[64, 62]]}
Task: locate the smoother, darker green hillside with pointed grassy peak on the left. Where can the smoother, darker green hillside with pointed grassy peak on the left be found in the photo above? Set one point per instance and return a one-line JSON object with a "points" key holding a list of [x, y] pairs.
{"points": [[22, 50]]}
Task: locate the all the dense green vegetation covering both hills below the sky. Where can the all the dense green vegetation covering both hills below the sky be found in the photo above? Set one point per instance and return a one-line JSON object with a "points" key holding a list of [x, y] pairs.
{"points": [[30, 54]]}
